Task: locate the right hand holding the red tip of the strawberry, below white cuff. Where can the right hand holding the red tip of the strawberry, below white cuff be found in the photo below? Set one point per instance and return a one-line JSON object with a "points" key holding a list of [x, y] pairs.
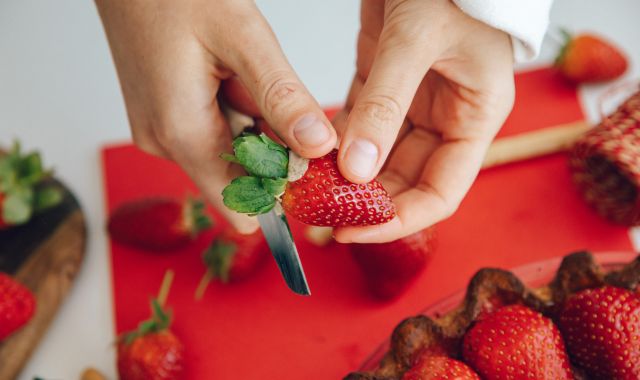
{"points": [[431, 90]]}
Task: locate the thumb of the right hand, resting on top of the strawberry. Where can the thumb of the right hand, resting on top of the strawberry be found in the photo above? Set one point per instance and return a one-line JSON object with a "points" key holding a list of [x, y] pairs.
{"points": [[399, 66]]}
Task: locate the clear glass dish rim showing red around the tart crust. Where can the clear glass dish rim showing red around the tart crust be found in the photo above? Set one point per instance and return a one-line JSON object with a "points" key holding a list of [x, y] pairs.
{"points": [[534, 275]]}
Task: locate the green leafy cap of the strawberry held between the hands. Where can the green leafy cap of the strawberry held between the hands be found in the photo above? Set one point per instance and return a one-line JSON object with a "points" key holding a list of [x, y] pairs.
{"points": [[266, 162]]}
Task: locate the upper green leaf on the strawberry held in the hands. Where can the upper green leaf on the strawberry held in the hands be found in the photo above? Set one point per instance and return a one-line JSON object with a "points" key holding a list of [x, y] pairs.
{"points": [[260, 156]]}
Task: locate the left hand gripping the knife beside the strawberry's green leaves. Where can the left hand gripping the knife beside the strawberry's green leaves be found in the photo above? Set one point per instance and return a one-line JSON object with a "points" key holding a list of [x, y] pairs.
{"points": [[171, 57]]}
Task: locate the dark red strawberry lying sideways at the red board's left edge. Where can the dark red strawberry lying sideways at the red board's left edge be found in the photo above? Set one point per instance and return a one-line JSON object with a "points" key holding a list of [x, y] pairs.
{"points": [[158, 224]]}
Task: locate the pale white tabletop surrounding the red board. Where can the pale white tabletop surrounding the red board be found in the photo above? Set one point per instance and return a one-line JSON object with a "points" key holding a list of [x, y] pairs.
{"points": [[58, 92]]}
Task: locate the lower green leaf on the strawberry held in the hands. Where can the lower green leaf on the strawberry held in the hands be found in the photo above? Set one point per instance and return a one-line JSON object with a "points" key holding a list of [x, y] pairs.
{"points": [[247, 195]]}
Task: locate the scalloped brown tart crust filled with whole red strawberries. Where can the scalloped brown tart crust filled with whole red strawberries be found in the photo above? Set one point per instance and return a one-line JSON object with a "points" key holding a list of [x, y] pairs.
{"points": [[584, 325]]}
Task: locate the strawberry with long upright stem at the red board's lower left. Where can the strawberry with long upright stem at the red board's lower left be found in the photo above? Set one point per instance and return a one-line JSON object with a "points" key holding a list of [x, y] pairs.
{"points": [[152, 351]]}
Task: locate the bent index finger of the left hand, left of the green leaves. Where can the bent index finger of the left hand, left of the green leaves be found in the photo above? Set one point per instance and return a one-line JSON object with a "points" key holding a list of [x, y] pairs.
{"points": [[191, 127]]}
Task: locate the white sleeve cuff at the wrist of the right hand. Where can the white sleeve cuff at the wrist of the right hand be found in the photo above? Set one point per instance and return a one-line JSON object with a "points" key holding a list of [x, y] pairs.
{"points": [[525, 20]]}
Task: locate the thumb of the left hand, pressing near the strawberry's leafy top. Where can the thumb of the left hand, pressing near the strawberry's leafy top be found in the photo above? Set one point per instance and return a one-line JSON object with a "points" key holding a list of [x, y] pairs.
{"points": [[283, 100]]}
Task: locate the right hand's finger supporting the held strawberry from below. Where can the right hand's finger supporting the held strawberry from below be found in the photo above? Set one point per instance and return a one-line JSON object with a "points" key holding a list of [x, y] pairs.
{"points": [[446, 178]]}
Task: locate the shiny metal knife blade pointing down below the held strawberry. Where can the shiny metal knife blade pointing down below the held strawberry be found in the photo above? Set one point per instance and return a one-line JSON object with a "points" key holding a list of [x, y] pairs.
{"points": [[276, 230]]}
